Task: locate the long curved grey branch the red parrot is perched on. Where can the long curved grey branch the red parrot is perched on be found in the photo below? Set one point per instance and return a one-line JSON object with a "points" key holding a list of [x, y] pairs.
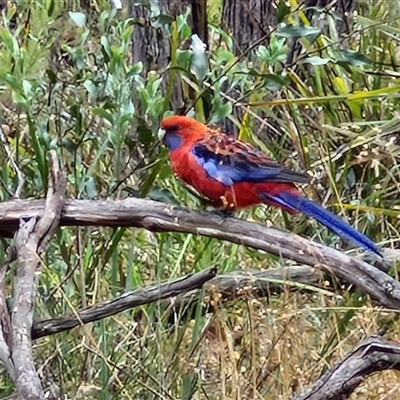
{"points": [[160, 217]]}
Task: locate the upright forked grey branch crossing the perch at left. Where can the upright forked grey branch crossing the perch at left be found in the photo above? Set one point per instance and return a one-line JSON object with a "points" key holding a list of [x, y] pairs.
{"points": [[31, 241]]}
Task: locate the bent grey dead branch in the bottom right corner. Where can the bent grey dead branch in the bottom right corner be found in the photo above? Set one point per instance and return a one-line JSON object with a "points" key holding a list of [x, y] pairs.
{"points": [[371, 355]]}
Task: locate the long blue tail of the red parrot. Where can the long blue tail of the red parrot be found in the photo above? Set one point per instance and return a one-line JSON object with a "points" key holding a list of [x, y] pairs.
{"points": [[325, 217]]}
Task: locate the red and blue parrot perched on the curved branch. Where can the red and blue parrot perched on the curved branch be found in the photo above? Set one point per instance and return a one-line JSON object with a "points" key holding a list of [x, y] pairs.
{"points": [[232, 175]]}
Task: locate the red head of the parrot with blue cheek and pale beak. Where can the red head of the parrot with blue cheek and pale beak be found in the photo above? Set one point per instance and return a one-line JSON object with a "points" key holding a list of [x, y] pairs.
{"points": [[177, 130]]}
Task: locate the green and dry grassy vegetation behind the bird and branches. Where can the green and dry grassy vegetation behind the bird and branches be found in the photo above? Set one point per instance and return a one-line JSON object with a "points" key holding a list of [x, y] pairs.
{"points": [[315, 86]]}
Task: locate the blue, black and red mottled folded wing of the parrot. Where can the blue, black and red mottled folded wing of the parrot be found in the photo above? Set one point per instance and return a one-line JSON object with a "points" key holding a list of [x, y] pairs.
{"points": [[231, 161]]}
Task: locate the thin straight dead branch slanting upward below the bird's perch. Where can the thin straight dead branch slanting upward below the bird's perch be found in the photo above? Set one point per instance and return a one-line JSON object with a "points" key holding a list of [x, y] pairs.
{"points": [[124, 302]]}
